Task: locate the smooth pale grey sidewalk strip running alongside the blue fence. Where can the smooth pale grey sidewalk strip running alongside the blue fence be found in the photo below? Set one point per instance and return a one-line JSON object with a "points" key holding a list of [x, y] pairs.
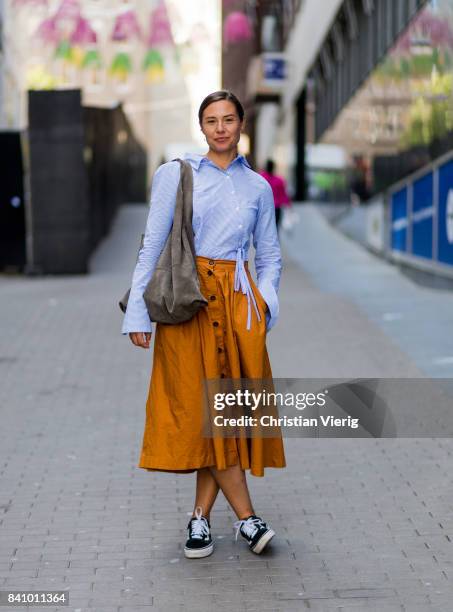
{"points": [[418, 319]]}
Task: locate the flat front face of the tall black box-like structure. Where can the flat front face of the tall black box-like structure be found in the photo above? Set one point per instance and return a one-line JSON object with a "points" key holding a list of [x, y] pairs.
{"points": [[59, 190]]}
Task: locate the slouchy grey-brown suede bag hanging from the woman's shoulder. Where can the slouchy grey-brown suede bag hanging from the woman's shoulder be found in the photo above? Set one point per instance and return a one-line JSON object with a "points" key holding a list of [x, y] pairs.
{"points": [[173, 294]]}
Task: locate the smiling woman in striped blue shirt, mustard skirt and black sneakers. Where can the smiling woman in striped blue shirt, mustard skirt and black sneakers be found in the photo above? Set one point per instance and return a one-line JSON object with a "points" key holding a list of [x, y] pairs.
{"points": [[226, 338]]}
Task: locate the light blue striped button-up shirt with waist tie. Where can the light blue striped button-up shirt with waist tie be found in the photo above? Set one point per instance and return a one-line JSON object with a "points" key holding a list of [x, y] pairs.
{"points": [[228, 206]]}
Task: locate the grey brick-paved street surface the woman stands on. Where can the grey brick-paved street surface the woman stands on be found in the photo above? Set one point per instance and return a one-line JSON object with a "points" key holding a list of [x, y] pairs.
{"points": [[362, 525]]}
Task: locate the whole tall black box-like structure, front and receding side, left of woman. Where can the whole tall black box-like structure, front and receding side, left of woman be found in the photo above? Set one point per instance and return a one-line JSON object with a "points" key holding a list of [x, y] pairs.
{"points": [[84, 163]]}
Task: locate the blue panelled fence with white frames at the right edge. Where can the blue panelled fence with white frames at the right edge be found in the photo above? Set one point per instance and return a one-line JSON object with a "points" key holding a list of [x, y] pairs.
{"points": [[421, 215]]}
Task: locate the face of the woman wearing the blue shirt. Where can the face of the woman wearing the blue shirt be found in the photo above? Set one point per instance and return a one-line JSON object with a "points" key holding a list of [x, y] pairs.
{"points": [[221, 126]]}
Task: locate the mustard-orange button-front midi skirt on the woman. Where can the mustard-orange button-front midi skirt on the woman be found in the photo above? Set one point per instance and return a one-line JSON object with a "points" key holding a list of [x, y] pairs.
{"points": [[214, 343]]}
